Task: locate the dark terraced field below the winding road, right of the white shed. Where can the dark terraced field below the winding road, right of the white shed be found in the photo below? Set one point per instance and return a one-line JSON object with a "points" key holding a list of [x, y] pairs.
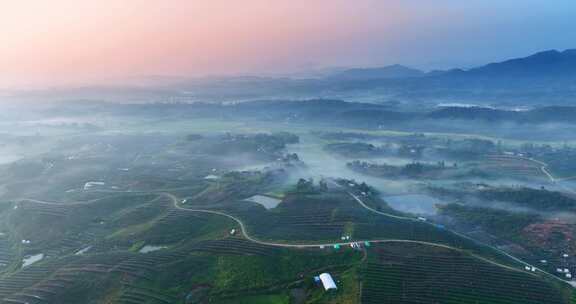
{"points": [[404, 273]]}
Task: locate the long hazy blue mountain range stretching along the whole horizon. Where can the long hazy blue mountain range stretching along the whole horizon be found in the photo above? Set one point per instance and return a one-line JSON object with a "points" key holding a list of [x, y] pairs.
{"points": [[543, 79]]}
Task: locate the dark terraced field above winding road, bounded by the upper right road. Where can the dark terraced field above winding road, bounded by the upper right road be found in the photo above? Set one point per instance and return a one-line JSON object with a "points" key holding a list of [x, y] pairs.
{"points": [[325, 218]]}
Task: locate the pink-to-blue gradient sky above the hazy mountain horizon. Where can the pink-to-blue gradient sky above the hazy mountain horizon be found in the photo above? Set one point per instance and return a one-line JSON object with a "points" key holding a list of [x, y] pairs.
{"points": [[70, 42]]}
